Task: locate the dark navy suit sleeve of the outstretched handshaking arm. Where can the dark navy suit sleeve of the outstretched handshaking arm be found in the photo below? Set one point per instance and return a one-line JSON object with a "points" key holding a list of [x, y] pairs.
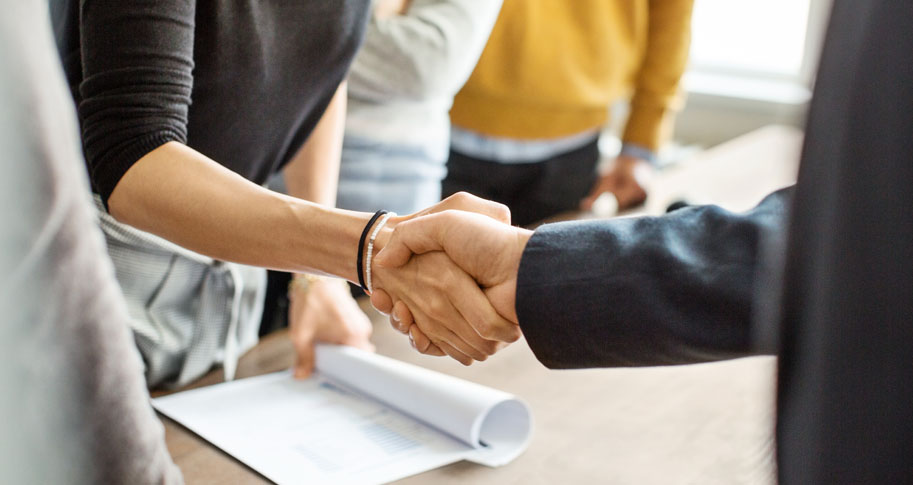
{"points": [[645, 291]]}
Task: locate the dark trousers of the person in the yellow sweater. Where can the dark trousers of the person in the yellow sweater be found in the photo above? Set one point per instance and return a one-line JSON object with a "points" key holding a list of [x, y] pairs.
{"points": [[532, 191]]}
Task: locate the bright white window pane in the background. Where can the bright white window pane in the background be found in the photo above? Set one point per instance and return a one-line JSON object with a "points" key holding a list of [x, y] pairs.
{"points": [[751, 36]]}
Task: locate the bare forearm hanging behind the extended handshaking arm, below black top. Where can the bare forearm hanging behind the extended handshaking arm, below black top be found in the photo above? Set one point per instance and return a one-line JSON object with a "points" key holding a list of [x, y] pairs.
{"points": [[313, 173]]}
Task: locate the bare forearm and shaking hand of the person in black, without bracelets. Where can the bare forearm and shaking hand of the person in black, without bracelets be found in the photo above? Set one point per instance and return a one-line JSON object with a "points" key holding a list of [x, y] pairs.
{"points": [[181, 195]]}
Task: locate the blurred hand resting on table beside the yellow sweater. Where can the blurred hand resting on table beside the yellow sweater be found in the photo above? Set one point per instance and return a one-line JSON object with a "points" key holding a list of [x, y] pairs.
{"points": [[628, 179]]}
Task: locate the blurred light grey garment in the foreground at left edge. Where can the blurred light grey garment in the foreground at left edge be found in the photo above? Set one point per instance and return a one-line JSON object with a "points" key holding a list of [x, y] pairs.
{"points": [[73, 402]]}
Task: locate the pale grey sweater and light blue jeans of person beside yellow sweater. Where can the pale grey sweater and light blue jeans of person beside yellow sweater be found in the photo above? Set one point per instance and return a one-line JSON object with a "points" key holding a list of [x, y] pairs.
{"points": [[401, 87]]}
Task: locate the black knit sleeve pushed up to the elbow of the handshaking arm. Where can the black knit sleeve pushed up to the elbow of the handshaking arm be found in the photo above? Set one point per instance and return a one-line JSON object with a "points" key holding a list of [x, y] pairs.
{"points": [[137, 58]]}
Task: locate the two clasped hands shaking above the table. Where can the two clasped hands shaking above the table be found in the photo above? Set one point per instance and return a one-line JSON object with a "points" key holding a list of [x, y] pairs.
{"points": [[447, 276]]}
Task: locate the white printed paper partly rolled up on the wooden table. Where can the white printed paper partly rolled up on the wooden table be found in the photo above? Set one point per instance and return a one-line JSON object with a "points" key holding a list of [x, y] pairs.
{"points": [[362, 418]]}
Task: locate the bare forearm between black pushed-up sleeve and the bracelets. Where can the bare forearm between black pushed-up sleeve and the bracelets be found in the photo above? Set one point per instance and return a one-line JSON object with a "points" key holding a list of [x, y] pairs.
{"points": [[183, 196]]}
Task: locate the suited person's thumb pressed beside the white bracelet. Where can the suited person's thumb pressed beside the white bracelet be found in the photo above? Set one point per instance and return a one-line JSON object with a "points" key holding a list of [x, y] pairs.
{"points": [[416, 236]]}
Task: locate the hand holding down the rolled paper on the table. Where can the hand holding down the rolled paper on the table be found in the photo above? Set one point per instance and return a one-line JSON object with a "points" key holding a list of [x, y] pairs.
{"points": [[325, 312]]}
